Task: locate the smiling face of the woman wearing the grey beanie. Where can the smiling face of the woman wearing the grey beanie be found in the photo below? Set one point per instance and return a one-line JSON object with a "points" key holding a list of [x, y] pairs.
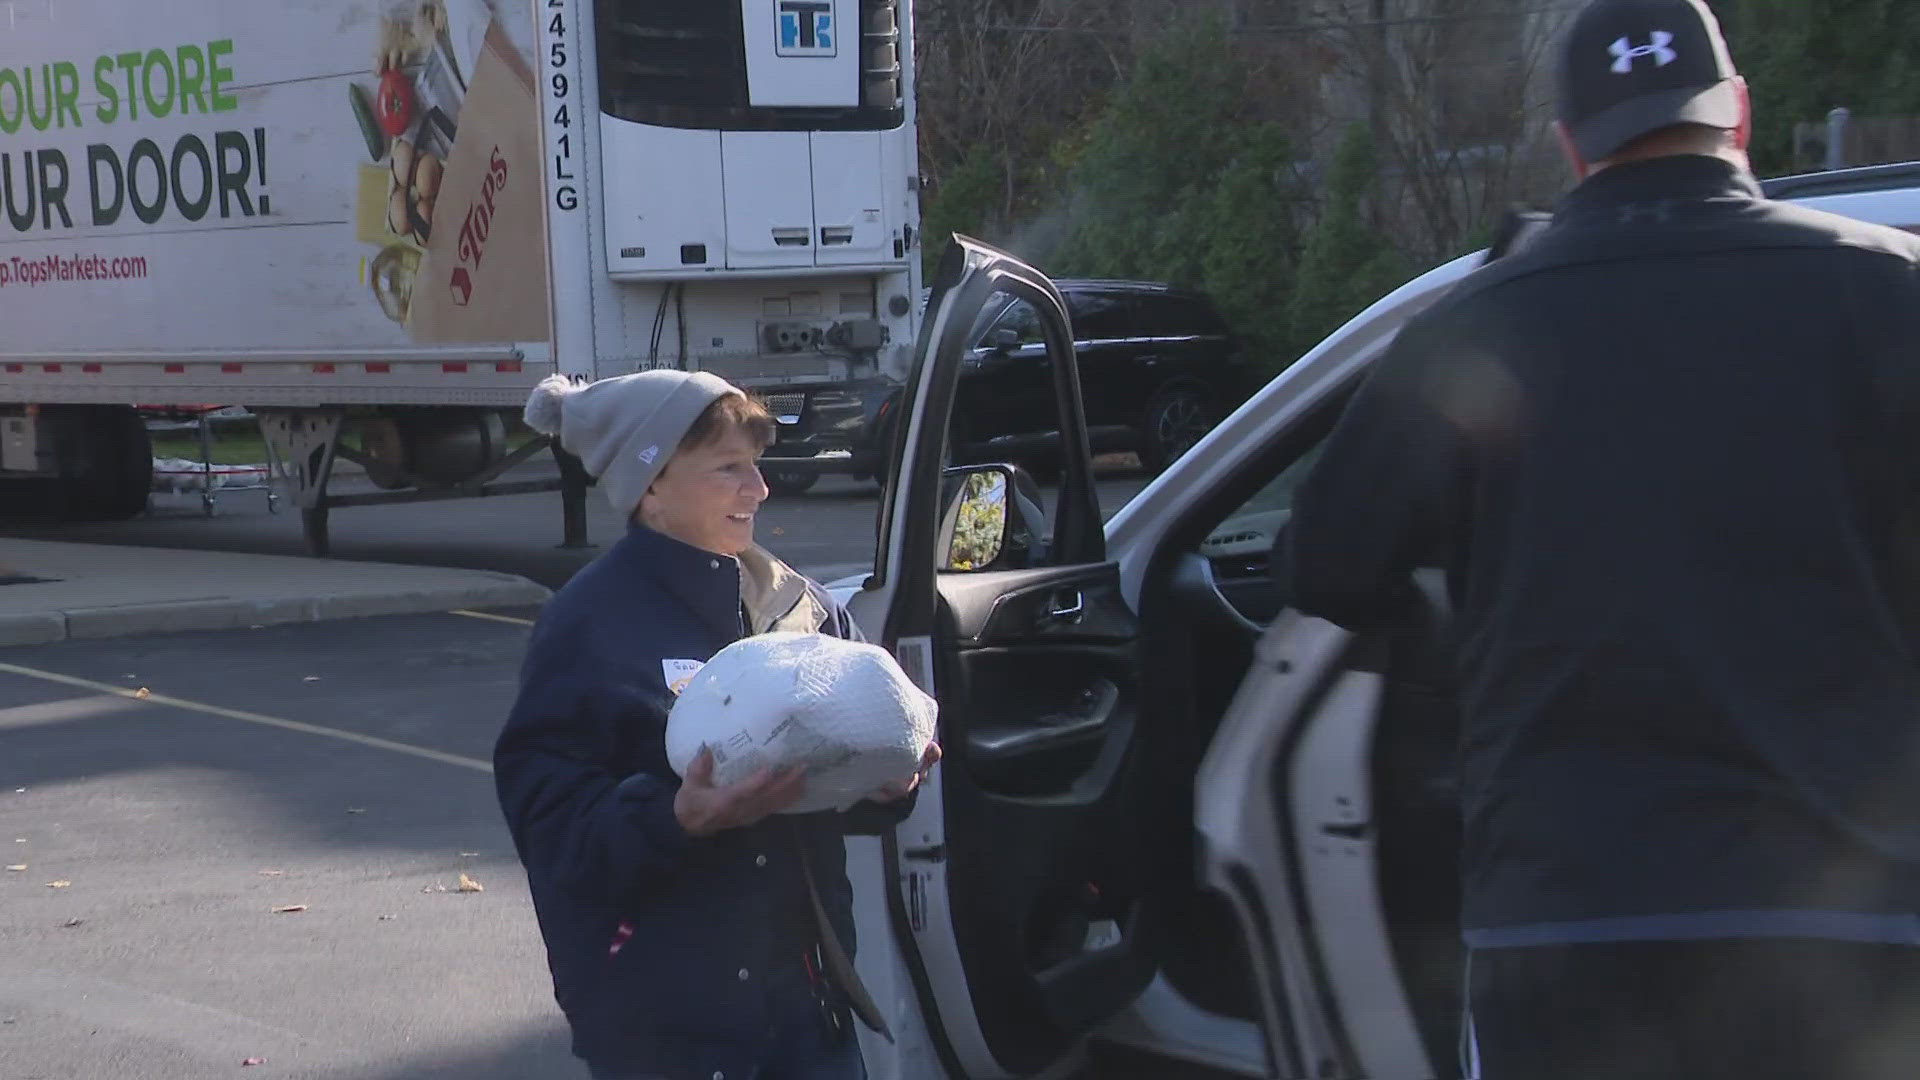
{"points": [[708, 495]]}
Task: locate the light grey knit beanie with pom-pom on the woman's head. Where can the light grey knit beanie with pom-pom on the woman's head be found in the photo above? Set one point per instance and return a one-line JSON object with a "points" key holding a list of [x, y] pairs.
{"points": [[625, 430]]}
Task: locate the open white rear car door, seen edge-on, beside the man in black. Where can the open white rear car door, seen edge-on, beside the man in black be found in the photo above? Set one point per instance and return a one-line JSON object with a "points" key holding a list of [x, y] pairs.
{"points": [[1328, 822]]}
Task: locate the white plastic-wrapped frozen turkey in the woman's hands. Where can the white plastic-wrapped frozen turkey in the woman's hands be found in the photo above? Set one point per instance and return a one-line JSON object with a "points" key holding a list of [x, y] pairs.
{"points": [[842, 710]]}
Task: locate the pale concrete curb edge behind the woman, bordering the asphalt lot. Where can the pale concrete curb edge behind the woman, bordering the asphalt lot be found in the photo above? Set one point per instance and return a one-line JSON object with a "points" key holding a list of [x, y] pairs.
{"points": [[222, 614]]}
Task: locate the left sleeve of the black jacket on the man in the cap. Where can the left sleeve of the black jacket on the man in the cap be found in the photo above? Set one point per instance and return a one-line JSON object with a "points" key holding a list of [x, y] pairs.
{"points": [[1383, 499]]}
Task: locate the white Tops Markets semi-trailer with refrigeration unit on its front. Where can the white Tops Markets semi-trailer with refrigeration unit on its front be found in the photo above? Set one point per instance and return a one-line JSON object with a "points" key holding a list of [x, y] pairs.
{"points": [[379, 226]]}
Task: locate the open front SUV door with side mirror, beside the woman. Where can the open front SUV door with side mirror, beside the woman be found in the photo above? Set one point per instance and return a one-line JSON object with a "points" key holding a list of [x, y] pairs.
{"points": [[1019, 881]]}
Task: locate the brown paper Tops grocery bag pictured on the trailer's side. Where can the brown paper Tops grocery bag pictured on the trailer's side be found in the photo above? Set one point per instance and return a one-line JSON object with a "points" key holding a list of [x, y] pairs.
{"points": [[485, 278]]}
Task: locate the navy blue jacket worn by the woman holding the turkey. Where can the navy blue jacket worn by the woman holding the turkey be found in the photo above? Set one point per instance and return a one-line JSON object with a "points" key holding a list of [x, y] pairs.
{"points": [[588, 797]]}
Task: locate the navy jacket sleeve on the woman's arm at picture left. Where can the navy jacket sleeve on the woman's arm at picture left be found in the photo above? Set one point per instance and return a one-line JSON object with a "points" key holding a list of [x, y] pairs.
{"points": [[573, 822]]}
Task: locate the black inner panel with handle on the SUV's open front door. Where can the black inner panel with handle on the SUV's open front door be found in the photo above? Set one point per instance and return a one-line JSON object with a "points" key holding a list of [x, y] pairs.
{"points": [[1038, 720]]}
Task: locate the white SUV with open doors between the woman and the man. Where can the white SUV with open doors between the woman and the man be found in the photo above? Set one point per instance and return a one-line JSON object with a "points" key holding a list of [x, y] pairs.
{"points": [[1180, 829]]}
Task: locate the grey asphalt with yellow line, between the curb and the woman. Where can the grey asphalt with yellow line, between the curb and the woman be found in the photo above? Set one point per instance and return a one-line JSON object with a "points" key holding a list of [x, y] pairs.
{"points": [[337, 770]]}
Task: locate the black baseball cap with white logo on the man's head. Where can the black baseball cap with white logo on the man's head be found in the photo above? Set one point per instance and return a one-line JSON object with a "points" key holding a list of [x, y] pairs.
{"points": [[1637, 66]]}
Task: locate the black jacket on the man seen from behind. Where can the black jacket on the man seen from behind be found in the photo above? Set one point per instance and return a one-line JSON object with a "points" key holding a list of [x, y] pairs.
{"points": [[1669, 458]]}
